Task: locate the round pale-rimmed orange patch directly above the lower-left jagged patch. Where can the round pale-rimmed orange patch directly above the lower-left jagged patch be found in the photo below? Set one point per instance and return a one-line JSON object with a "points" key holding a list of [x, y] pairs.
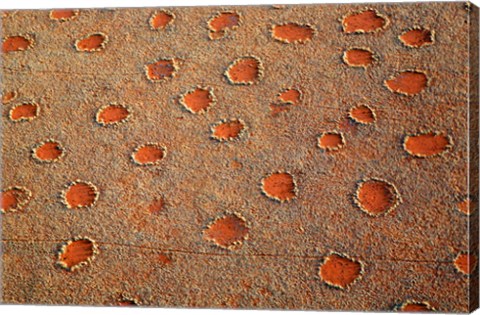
{"points": [[80, 194]]}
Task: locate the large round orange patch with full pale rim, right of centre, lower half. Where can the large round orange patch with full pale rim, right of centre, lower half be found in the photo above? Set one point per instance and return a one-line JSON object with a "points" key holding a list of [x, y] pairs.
{"points": [[376, 197]]}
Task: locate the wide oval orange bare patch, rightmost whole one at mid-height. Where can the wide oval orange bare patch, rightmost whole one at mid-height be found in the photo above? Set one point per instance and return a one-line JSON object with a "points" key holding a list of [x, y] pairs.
{"points": [[426, 144]]}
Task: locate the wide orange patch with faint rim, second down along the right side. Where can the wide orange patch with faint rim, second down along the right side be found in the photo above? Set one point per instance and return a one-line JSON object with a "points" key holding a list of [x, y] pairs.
{"points": [[408, 82]]}
